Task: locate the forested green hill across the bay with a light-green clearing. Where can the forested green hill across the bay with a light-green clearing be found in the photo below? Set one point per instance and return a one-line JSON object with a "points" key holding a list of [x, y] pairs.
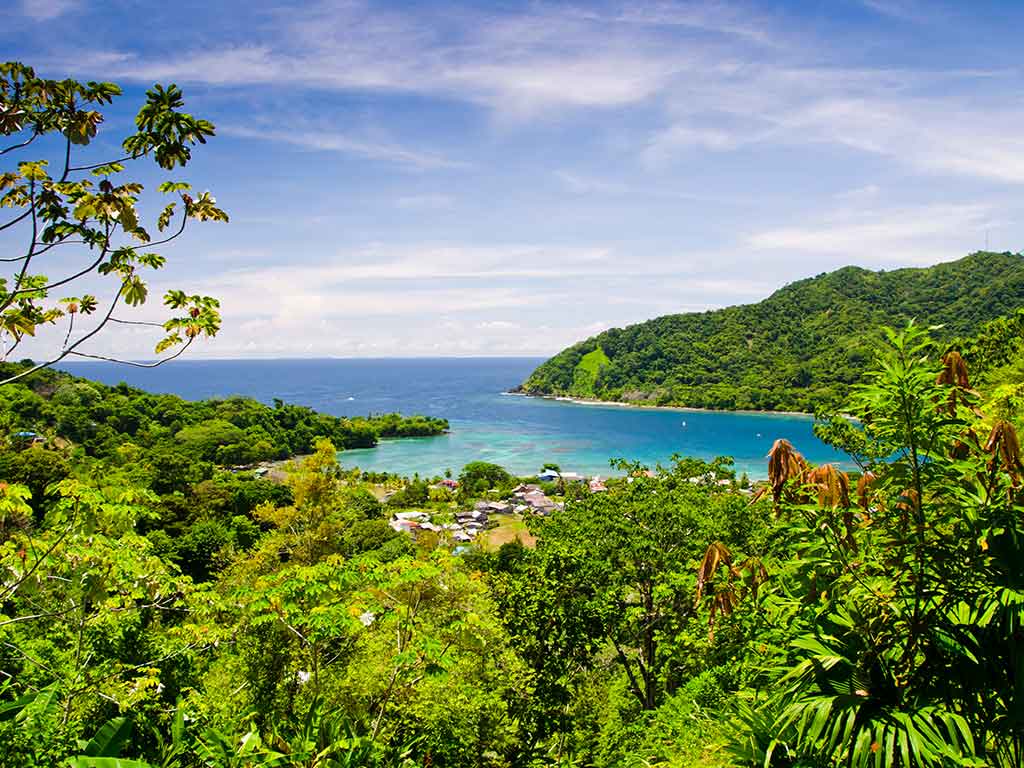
{"points": [[801, 348]]}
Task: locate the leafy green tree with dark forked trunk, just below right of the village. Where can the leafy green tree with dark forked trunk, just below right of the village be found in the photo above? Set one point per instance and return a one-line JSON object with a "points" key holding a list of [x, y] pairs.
{"points": [[632, 550]]}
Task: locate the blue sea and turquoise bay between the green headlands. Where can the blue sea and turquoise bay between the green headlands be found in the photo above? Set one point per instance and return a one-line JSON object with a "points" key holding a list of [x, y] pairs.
{"points": [[521, 434]]}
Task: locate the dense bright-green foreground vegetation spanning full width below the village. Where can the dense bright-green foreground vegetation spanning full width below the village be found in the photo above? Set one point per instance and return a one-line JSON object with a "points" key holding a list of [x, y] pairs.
{"points": [[828, 621]]}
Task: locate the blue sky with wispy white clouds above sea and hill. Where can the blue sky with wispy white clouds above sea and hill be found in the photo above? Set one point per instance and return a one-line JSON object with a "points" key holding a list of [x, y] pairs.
{"points": [[504, 179]]}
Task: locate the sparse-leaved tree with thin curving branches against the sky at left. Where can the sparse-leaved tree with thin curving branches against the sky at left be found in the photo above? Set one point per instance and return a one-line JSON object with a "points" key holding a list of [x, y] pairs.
{"points": [[89, 207]]}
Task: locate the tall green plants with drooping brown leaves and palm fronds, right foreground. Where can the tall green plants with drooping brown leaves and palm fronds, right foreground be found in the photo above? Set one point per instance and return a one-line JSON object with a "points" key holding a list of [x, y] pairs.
{"points": [[908, 595]]}
